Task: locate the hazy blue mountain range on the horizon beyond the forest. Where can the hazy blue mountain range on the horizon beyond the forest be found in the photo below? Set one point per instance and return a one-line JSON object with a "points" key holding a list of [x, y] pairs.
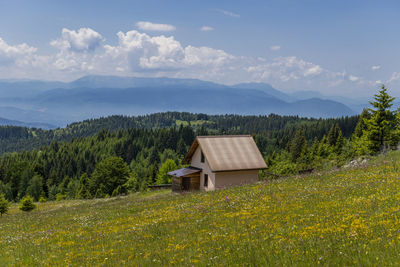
{"points": [[60, 103]]}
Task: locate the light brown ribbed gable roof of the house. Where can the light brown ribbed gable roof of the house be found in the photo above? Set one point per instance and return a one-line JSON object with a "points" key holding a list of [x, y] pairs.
{"points": [[228, 152]]}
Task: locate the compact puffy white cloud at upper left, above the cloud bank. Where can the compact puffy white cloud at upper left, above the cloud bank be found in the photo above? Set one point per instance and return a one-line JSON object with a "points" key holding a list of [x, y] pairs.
{"points": [[83, 40]]}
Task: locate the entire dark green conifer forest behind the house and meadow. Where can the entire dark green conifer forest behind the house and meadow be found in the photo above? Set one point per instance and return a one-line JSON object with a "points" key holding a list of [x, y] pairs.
{"points": [[118, 154]]}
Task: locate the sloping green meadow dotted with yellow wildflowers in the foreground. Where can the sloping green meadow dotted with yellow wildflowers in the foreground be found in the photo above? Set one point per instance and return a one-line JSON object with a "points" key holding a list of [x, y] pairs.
{"points": [[345, 217]]}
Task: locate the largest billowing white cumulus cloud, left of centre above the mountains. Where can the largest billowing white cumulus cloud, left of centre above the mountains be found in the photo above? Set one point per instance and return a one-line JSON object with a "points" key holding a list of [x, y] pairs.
{"points": [[138, 51]]}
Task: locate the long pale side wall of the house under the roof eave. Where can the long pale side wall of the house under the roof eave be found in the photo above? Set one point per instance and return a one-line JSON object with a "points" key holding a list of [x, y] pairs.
{"points": [[224, 179]]}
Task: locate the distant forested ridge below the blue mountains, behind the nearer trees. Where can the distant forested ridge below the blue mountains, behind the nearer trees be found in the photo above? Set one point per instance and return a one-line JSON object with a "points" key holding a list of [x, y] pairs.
{"points": [[14, 139]]}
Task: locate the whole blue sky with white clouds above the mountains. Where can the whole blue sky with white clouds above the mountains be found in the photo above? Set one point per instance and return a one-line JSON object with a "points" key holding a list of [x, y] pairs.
{"points": [[334, 47]]}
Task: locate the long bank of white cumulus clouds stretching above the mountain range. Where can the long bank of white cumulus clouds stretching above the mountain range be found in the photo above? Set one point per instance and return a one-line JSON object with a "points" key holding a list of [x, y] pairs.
{"points": [[136, 53]]}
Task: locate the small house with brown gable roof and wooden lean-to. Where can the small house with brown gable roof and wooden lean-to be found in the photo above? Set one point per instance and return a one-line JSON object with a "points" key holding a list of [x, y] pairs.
{"points": [[217, 162]]}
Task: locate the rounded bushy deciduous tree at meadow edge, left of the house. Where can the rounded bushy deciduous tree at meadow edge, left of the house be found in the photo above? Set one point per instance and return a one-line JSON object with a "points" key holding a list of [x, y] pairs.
{"points": [[110, 175]]}
